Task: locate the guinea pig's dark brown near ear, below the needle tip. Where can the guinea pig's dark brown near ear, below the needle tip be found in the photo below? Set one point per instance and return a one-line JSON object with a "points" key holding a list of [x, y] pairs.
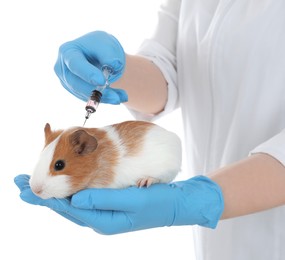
{"points": [[82, 142]]}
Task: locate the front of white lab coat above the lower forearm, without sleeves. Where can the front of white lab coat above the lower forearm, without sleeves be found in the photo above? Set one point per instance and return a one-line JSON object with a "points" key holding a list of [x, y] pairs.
{"points": [[231, 75]]}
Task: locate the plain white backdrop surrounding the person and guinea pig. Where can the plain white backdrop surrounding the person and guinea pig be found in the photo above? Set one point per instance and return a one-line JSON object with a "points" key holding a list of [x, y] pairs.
{"points": [[31, 95]]}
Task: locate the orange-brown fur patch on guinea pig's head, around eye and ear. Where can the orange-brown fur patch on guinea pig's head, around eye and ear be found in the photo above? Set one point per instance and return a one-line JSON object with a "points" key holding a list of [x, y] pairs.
{"points": [[96, 167]]}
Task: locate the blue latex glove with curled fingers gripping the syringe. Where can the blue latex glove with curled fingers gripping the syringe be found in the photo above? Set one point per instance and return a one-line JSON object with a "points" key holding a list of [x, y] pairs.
{"points": [[79, 66]]}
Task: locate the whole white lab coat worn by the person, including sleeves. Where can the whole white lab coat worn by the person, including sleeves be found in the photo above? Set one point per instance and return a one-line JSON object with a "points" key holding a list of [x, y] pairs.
{"points": [[224, 61]]}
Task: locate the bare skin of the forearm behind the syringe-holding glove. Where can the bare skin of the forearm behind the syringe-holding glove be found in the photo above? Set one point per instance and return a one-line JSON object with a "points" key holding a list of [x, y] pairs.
{"points": [[145, 85]]}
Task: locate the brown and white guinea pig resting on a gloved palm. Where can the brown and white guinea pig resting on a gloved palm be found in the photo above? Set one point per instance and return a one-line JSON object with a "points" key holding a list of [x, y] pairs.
{"points": [[116, 156]]}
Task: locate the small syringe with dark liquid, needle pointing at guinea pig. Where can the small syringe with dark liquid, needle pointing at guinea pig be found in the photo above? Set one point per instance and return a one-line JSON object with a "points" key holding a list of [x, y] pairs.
{"points": [[96, 95]]}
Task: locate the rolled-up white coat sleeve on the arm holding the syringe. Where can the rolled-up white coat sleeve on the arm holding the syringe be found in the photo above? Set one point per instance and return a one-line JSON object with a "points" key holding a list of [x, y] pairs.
{"points": [[160, 48]]}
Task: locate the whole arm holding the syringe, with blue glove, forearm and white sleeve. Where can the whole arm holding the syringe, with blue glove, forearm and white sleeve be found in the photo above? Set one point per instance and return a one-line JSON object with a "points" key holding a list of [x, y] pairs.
{"points": [[143, 82]]}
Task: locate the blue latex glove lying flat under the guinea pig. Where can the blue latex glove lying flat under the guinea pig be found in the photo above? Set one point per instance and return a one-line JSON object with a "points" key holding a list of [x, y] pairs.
{"points": [[110, 211]]}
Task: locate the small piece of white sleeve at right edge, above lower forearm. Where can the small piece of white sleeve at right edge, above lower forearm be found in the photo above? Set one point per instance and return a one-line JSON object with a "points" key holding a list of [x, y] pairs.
{"points": [[275, 147]]}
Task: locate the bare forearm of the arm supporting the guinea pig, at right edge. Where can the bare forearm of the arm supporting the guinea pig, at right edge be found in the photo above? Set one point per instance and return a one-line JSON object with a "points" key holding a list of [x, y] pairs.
{"points": [[251, 185]]}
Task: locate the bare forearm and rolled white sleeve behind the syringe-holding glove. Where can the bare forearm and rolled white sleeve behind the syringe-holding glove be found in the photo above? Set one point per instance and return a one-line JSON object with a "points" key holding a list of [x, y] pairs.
{"points": [[150, 79]]}
